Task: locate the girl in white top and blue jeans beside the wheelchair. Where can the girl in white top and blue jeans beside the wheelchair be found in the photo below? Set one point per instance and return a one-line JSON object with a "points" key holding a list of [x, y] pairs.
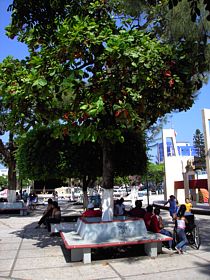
{"points": [[180, 229]]}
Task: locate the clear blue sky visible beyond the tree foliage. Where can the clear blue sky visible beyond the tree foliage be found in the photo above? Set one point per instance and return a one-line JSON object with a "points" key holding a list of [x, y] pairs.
{"points": [[185, 123]]}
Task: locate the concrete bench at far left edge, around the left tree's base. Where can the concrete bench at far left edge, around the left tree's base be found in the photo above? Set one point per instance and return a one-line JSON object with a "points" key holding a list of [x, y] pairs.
{"points": [[13, 207]]}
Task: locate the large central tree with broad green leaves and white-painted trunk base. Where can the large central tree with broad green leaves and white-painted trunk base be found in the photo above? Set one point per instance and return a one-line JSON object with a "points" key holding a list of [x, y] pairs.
{"points": [[112, 75]]}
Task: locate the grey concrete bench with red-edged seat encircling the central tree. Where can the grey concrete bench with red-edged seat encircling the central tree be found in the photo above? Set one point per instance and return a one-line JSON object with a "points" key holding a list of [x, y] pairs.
{"points": [[96, 234]]}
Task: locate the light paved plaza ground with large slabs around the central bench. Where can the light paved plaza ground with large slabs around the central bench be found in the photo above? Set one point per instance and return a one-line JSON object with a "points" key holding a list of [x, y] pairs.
{"points": [[29, 253]]}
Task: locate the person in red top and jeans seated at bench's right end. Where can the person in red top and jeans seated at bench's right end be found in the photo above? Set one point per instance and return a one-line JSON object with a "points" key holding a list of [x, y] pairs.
{"points": [[157, 226]]}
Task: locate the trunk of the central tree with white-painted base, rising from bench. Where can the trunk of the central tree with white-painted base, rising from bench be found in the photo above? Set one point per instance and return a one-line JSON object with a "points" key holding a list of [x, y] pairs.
{"points": [[108, 181]]}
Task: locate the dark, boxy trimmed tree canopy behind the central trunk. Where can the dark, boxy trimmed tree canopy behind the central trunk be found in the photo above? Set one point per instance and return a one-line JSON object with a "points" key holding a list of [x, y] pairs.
{"points": [[41, 156]]}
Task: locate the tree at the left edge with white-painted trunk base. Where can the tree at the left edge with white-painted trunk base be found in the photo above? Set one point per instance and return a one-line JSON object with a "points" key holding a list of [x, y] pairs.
{"points": [[13, 73]]}
